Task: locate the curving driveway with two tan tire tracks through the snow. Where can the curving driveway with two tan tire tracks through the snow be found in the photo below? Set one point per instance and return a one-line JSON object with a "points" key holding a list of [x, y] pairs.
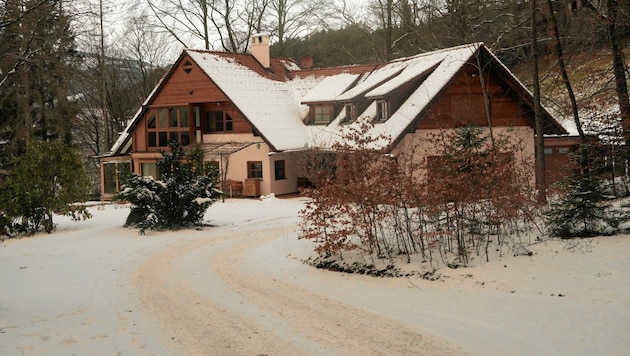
{"points": [[214, 300]]}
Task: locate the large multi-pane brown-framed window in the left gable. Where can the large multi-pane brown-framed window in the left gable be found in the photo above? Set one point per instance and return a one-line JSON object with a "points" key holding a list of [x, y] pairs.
{"points": [[168, 124]]}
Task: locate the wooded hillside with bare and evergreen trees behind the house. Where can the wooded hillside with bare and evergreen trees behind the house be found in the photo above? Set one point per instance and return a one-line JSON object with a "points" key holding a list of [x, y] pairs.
{"points": [[75, 72]]}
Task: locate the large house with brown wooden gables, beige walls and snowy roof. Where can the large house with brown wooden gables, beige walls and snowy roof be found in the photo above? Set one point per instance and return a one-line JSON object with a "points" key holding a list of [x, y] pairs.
{"points": [[252, 113]]}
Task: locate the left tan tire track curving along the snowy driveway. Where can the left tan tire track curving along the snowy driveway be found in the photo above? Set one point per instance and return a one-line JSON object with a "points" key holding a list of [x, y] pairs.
{"points": [[195, 324]]}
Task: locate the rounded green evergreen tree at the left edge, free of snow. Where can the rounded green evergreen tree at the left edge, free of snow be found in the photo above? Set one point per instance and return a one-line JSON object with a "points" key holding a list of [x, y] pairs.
{"points": [[48, 178]]}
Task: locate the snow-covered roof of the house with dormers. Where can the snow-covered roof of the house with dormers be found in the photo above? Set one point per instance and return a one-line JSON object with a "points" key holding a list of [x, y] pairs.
{"points": [[276, 104]]}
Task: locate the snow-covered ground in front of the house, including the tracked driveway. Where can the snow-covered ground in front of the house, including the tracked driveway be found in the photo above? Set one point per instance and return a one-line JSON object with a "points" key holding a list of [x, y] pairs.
{"points": [[240, 288]]}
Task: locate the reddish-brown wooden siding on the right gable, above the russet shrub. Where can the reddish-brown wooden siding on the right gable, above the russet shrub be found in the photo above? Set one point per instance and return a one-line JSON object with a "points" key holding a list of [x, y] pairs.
{"points": [[462, 104]]}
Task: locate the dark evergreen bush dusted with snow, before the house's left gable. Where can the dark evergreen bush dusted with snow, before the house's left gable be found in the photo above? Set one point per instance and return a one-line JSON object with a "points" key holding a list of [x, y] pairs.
{"points": [[179, 200]]}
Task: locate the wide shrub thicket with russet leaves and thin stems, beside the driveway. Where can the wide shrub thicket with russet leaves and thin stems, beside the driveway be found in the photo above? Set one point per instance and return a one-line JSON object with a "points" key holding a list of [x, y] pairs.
{"points": [[473, 192]]}
